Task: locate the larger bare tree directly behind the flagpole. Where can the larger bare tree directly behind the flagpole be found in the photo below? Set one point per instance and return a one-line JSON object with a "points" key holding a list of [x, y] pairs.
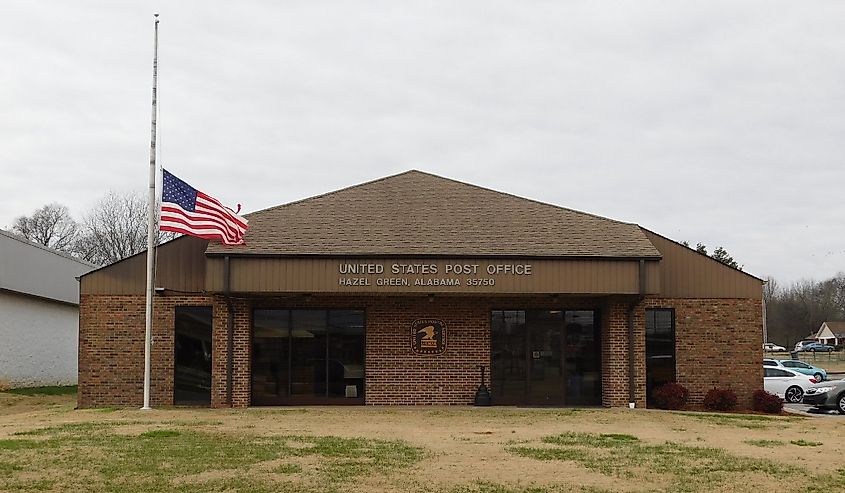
{"points": [[115, 228]]}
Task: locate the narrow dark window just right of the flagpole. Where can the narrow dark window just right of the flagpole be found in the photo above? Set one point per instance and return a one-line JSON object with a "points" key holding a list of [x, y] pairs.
{"points": [[192, 356]]}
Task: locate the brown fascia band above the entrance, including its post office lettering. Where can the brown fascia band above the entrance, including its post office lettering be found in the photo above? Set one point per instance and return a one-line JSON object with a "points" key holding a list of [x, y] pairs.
{"points": [[437, 276]]}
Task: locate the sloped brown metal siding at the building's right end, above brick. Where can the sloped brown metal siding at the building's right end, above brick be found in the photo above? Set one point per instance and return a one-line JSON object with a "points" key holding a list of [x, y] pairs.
{"points": [[685, 273]]}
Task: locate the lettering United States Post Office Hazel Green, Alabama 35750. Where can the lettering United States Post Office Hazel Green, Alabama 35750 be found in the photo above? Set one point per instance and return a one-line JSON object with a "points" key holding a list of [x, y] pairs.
{"points": [[433, 274]]}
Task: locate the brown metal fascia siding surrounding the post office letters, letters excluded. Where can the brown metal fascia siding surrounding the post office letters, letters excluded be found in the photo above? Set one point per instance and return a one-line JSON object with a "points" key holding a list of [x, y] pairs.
{"points": [[321, 275]]}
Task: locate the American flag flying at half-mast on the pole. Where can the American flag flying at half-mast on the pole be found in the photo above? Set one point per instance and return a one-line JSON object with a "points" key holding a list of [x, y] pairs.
{"points": [[184, 209]]}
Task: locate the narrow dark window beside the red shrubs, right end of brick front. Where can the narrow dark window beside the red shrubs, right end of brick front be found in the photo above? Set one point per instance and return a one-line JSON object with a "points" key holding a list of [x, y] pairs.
{"points": [[659, 348]]}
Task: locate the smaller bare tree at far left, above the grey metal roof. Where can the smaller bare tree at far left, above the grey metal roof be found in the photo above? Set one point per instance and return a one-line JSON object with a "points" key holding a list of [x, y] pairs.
{"points": [[50, 226]]}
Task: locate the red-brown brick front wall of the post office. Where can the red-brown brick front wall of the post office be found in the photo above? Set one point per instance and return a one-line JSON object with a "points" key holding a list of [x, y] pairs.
{"points": [[715, 334]]}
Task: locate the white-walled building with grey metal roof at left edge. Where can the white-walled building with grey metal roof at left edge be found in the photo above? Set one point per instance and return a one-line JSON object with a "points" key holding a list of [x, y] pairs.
{"points": [[39, 313]]}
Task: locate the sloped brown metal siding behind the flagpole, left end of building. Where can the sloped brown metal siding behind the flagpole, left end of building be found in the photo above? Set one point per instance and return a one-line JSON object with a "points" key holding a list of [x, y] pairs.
{"points": [[180, 267]]}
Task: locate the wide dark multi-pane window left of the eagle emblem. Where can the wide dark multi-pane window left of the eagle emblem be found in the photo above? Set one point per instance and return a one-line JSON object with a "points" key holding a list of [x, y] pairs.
{"points": [[308, 356]]}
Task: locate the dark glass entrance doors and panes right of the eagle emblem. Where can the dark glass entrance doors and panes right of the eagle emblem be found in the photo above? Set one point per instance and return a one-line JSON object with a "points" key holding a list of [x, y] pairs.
{"points": [[545, 358]]}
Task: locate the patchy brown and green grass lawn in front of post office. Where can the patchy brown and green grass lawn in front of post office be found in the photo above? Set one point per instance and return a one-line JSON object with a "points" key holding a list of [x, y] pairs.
{"points": [[46, 445]]}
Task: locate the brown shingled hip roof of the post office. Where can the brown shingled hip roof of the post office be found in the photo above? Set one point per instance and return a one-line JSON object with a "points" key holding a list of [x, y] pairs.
{"points": [[416, 213]]}
